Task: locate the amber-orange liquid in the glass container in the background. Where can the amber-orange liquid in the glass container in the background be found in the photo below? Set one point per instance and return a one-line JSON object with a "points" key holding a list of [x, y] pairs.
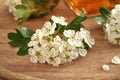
{"points": [[91, 6]]}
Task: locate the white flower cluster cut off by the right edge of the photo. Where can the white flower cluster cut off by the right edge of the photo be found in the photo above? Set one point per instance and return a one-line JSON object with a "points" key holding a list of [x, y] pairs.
{"points": [[112, 27]]}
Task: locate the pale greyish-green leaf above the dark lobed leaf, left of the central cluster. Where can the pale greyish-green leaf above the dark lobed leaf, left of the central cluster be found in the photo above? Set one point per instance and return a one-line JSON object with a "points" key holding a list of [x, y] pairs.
{"points": [[25, 32]]}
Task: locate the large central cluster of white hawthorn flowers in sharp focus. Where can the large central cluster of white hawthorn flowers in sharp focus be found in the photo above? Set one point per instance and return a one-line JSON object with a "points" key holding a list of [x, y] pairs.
{"points": [[49, 46]]}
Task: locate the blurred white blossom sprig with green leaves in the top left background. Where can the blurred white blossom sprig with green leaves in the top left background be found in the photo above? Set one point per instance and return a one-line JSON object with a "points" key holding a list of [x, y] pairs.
{"points": [[23, 9]]}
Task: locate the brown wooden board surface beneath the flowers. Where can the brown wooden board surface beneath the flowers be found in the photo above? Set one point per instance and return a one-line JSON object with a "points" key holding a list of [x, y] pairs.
{"points": [[13, 67]]}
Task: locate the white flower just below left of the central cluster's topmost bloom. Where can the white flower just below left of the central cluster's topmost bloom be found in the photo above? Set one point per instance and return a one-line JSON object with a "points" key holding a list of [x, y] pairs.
{"points": [[48, 28]]}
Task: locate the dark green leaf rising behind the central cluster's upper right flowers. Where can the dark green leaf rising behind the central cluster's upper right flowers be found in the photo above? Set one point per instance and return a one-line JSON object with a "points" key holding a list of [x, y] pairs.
{"points": [[76, 23]]}
